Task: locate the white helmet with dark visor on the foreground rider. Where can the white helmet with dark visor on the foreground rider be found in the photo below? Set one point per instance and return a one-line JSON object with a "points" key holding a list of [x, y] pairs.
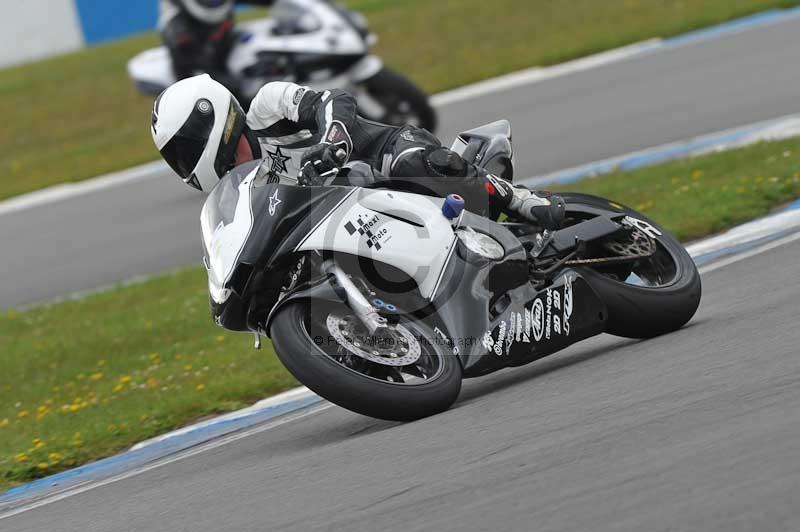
{"points": [[196, 125]]}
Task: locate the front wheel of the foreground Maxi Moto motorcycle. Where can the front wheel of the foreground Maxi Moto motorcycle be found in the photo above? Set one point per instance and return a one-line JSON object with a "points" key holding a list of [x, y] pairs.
{"points": [[402, 375]]}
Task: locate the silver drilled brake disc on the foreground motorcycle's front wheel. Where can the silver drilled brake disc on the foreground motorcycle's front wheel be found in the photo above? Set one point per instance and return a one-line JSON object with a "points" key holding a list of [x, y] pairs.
{"points": [[398, 348]]}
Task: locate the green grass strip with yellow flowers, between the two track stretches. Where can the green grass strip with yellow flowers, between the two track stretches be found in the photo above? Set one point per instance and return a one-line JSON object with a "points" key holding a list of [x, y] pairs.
{"points": [[85, 379]]}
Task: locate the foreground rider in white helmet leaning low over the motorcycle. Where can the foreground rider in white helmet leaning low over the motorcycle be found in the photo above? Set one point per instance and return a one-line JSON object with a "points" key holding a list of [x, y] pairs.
{"points": [[306, 136]]}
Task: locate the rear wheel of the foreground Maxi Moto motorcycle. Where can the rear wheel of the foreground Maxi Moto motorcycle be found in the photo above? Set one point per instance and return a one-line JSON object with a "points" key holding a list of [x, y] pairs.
{"points": [[655, 294]]}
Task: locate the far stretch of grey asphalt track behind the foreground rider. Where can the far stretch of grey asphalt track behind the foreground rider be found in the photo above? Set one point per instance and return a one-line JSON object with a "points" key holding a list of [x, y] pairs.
{"points": [[150, 226]]}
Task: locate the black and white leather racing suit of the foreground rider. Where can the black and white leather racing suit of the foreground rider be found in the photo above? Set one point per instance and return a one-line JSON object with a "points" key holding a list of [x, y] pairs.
{"points": [[286, 119]]}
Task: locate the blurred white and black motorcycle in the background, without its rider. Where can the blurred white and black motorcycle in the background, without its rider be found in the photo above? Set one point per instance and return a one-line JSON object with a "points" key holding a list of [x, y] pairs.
{"points": [[317, 43]]}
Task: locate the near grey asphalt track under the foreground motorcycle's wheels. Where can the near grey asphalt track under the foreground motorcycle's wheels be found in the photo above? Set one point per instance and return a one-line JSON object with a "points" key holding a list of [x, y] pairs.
{"points": [[696, 430]]}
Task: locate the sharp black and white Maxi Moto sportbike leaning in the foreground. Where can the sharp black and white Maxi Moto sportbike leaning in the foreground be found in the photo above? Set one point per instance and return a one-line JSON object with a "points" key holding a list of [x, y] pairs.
{"points": [[382, 301]]}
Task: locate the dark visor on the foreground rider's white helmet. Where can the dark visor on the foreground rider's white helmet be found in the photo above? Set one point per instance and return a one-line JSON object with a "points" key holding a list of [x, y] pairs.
{"points": [[184, 149]]}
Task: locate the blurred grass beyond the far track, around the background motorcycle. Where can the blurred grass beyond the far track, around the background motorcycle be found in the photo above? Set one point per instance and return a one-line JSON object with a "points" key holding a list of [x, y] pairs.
{"points": [[78, 116]]}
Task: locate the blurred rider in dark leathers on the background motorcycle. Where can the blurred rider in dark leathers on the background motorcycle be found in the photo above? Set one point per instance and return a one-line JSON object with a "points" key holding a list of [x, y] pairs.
{"points": [[199, 35]]}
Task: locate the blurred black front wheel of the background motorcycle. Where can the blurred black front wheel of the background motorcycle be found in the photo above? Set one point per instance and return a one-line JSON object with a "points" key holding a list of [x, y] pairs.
{"points": [[390, 98]]}
